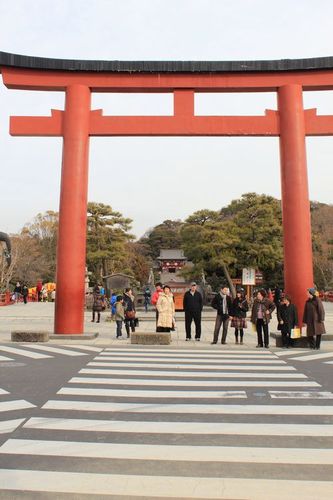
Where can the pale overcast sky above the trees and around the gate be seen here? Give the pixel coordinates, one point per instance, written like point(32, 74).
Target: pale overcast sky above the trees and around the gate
point(153, 179)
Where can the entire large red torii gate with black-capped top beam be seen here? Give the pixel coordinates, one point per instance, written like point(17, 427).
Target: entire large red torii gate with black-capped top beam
point(78, 79)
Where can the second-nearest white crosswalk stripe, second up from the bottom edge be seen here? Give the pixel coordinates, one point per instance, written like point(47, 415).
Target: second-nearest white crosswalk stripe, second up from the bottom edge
point(167, 452)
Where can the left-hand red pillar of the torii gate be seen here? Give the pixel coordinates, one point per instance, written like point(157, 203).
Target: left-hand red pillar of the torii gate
point(71, 255)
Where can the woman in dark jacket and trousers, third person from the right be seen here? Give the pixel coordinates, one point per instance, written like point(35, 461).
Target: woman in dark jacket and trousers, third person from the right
point(261, 315)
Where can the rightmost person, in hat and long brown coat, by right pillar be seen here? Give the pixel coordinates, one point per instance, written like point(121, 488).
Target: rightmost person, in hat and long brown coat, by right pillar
point(314, 317)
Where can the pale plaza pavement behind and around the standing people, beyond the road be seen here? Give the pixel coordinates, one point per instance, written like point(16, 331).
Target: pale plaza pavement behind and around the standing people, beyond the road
point(40, 316)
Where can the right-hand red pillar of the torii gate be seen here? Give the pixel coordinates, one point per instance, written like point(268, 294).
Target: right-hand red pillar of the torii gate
point(298, 271)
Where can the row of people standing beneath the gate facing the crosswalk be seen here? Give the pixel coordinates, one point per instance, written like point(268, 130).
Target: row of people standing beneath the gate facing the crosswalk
point(237, 312)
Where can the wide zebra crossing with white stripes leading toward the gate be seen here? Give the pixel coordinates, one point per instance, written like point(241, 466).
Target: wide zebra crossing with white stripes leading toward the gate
point(177, 424)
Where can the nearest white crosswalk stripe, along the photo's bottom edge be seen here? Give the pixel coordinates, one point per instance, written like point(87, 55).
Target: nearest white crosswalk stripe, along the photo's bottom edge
point(221, 488)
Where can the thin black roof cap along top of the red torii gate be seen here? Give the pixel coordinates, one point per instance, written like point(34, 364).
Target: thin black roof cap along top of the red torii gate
point(275, 65)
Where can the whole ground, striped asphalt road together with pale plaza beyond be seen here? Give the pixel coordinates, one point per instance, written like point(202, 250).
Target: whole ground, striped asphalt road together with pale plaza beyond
point(102, 418)
